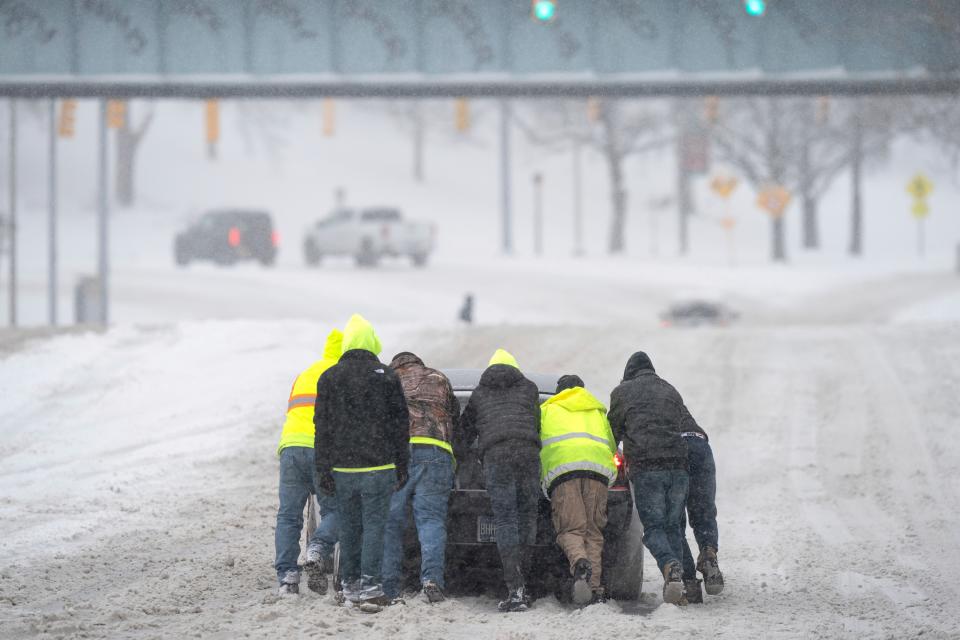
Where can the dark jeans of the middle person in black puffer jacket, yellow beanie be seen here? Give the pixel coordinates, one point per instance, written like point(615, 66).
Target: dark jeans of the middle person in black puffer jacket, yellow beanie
point(514, 489)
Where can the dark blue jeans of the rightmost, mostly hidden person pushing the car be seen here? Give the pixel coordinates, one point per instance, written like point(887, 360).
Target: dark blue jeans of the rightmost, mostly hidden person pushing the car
point(701, 502)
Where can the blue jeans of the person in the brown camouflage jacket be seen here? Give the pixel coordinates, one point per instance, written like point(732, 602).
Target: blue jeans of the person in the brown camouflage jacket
point(431, 479)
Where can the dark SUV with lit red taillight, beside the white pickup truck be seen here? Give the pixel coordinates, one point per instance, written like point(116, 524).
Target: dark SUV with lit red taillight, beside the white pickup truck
point(226, 236)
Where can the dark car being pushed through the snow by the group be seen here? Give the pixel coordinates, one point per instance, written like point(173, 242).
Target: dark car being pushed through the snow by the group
point(472, 561)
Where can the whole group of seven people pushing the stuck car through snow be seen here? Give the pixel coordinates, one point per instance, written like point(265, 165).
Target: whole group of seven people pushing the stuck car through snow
point(368, 439)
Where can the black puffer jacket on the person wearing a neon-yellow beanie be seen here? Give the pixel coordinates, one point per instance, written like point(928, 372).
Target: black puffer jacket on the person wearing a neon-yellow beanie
point(504, 411)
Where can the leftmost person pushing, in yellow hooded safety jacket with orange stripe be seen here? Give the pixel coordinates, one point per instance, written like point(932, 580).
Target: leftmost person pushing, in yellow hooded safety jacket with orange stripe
point(298, 481)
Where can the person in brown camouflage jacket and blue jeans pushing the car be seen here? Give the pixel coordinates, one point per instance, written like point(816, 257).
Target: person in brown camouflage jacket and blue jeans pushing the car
point(434, 412)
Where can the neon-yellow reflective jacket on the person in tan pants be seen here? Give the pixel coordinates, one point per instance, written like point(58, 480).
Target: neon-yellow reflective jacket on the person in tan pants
point(575, 436)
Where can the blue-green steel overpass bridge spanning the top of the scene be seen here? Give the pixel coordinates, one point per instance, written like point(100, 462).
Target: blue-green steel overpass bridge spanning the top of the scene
point(358, 48)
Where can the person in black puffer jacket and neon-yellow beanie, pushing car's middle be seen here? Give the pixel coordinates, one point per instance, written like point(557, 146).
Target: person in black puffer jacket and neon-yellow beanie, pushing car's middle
point(504, 411)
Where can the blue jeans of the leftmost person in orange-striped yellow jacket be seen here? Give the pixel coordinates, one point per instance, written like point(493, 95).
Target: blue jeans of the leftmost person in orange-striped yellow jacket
point(297, 471)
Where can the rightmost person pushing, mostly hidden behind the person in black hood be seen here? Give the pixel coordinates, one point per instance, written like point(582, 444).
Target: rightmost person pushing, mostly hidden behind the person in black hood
point(702, 511)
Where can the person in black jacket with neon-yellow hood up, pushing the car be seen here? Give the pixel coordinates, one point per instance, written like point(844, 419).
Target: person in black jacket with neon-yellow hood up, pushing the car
point(361, 454)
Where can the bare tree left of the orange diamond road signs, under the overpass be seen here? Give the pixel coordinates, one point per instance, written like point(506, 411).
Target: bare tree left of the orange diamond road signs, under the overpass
point(614, 128)
